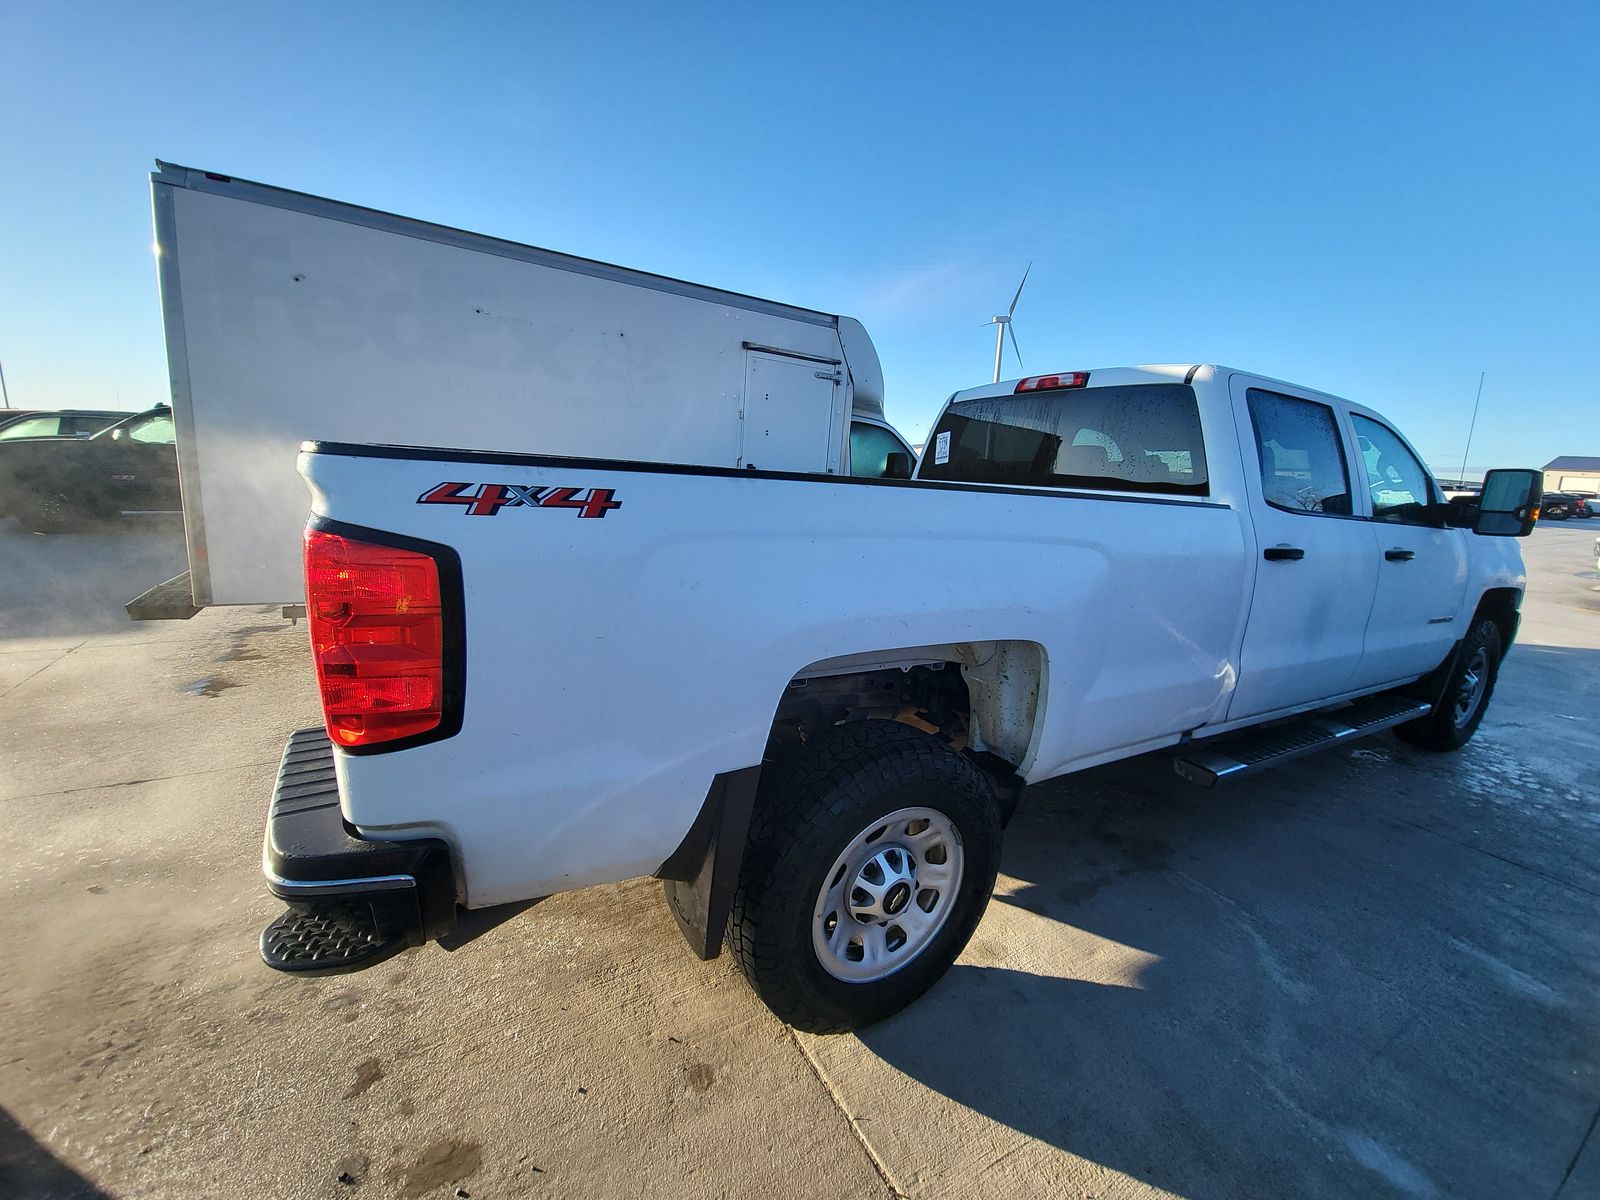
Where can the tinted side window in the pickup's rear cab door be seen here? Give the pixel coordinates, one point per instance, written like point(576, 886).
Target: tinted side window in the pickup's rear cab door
point(1302, 455)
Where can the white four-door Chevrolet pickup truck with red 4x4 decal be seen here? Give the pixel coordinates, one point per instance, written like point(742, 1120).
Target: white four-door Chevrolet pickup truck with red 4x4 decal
point(809, 703)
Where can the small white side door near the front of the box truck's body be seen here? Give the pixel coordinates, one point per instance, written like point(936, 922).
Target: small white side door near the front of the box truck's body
point(791, 414)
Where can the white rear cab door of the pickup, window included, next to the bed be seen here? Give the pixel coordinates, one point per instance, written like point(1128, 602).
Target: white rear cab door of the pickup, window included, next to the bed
point(1316, 572)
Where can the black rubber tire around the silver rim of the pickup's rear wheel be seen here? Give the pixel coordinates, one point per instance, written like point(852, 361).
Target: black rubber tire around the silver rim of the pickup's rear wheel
point(809, 810)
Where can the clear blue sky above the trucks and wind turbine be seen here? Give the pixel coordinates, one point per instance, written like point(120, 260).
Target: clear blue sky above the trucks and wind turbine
point(1380, 201)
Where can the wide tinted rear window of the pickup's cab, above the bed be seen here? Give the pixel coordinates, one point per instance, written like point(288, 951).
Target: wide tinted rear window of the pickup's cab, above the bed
point(1145, 438)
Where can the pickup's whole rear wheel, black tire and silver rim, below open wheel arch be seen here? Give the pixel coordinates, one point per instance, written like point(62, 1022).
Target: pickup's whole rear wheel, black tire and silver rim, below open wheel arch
point(870, 863)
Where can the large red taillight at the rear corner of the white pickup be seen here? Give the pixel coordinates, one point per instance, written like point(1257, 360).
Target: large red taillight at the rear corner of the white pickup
point(377, 636)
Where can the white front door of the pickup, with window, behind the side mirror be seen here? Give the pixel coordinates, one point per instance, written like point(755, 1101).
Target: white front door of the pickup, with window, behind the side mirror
point(1422, 566)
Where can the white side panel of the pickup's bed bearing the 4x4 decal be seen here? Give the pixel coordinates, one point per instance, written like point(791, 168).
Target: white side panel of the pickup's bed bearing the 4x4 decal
point(618, 663)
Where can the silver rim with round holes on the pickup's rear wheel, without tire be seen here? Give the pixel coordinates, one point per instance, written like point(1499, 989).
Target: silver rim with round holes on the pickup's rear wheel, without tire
point(887, 895)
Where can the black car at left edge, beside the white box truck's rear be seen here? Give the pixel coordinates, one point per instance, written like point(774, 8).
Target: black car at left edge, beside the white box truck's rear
point(60, 484)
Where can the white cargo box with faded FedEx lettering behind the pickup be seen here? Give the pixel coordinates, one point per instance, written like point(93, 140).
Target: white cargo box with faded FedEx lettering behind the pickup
point(290, 318)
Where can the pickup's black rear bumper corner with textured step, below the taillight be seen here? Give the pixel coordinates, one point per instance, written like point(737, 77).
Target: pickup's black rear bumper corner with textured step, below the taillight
point(353, 902)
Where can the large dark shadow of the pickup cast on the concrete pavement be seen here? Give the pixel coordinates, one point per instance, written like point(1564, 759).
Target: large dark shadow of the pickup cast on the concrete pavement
point(1270, 991)
